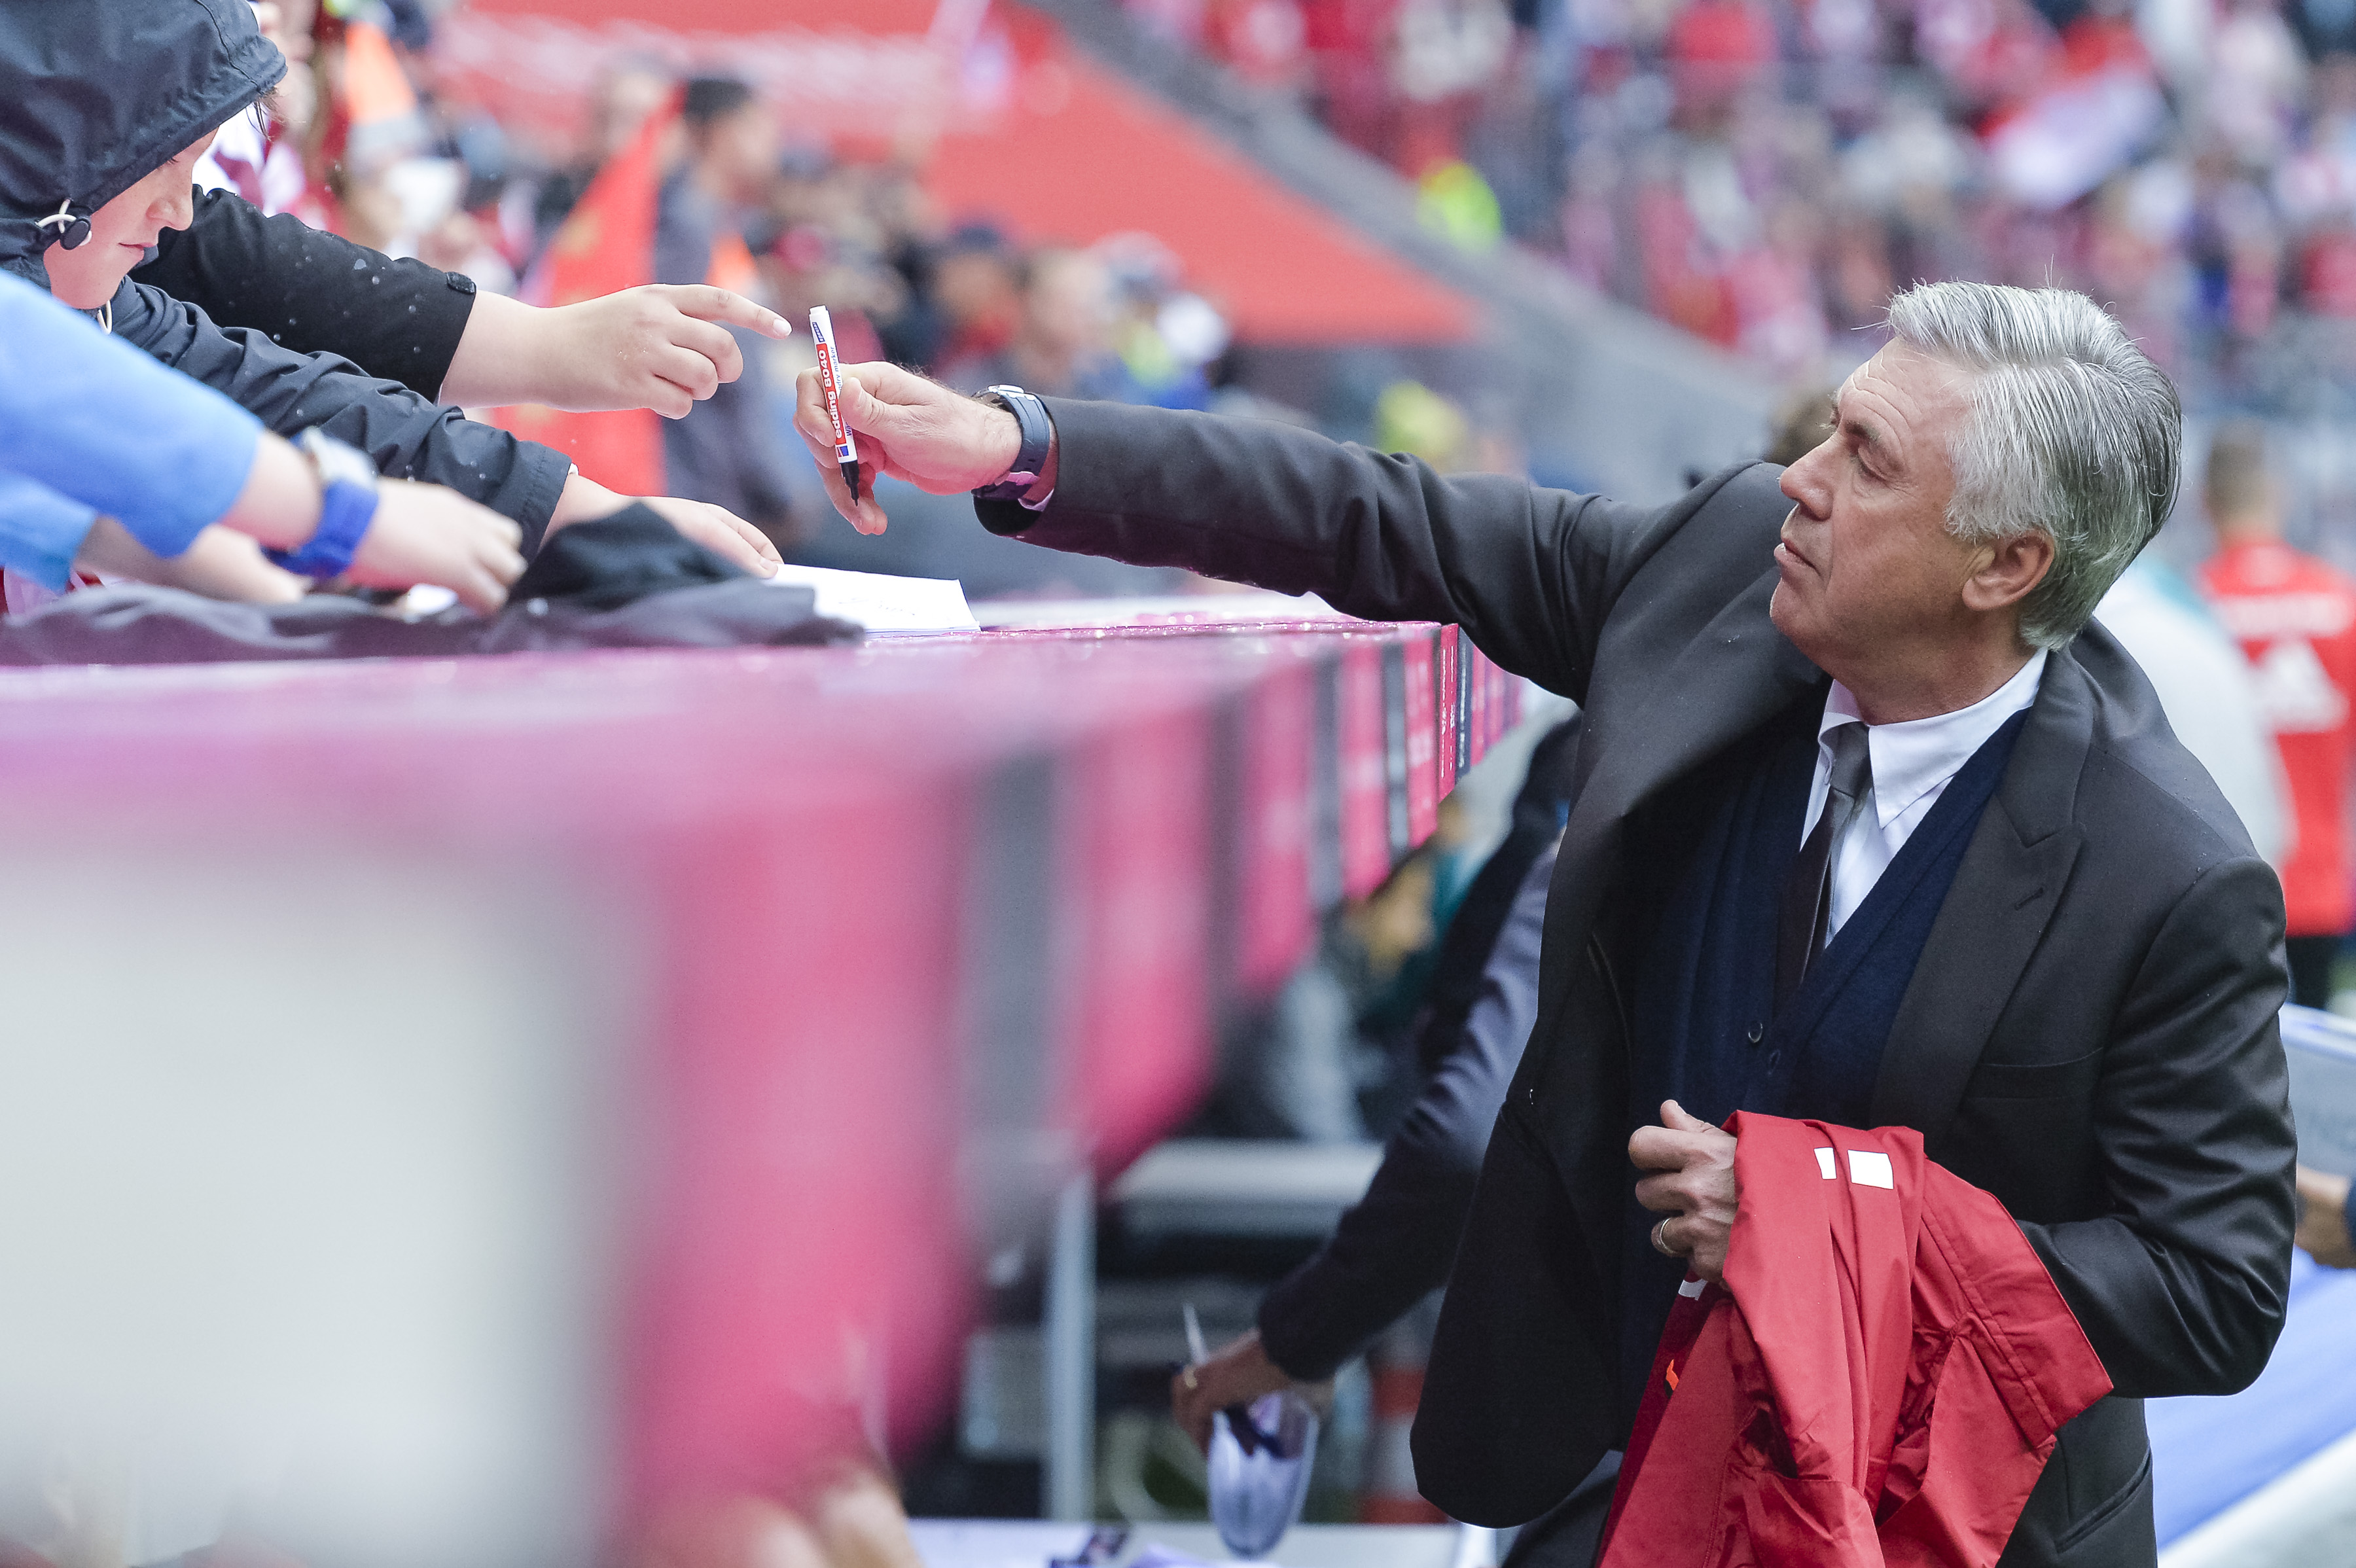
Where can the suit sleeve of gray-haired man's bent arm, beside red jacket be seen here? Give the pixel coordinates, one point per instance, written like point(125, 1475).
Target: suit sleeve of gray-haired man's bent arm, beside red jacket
point(2183, 1287)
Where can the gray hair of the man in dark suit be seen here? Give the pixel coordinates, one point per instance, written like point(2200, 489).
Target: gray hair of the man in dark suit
point(2072, 434)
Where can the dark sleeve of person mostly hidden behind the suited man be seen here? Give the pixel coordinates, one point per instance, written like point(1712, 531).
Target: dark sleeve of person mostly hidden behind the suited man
point(1396, 1247)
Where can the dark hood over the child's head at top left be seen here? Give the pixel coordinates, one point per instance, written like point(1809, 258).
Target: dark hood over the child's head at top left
point(95, 95)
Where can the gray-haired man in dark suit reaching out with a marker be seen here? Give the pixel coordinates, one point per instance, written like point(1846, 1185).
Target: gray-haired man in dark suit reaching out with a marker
point(2067, 978)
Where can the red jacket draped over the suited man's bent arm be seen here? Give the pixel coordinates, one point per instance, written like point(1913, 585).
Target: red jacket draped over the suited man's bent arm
point(1879, 1381)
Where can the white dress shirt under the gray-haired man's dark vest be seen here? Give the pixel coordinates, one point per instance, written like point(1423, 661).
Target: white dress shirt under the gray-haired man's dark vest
point(1912, 766)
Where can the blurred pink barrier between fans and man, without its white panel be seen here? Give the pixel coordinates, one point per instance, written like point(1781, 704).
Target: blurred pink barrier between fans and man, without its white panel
point(868, 903)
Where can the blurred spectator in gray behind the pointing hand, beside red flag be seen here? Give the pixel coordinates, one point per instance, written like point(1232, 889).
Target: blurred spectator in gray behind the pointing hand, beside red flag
point(729, 451)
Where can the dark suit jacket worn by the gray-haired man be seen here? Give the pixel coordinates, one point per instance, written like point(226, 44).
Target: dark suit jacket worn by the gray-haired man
point(2091, 1032)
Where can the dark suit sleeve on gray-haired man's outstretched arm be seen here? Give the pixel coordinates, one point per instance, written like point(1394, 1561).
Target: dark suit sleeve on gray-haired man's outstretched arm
point(1528, 573)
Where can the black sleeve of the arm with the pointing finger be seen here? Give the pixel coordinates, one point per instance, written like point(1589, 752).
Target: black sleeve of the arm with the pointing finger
point(315, 293)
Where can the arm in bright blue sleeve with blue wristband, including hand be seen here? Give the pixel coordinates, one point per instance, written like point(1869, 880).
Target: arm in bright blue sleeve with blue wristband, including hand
point(95, 427)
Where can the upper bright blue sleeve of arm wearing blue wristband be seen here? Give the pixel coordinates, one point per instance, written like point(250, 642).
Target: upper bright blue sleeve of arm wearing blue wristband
point(110, 427)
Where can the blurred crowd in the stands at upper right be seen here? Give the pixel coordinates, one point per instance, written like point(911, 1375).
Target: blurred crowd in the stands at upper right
point(1763, 173)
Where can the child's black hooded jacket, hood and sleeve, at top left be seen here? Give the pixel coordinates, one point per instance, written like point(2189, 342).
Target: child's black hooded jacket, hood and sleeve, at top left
point(93, 100)
